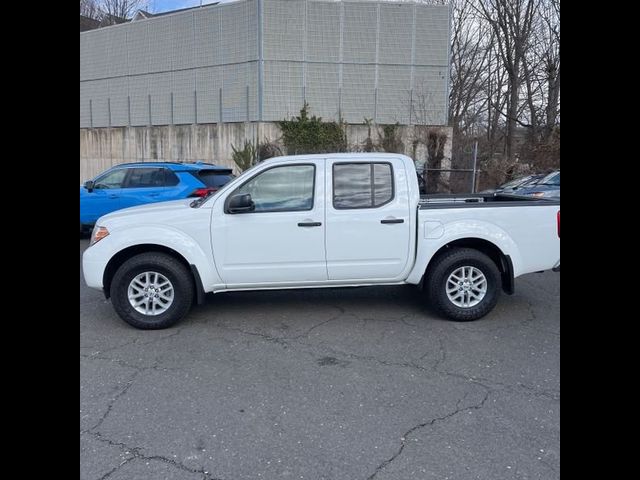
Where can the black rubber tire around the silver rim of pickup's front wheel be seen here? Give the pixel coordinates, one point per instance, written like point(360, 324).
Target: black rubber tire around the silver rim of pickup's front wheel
point(173, 270)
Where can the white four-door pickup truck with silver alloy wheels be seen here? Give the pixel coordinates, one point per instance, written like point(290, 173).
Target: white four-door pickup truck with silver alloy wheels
point(332, 220)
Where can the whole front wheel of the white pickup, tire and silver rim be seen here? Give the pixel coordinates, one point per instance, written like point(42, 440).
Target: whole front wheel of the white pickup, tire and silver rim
point(152, 291)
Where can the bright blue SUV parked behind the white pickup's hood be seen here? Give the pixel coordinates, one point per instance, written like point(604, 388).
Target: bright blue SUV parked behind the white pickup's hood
point(131, 184)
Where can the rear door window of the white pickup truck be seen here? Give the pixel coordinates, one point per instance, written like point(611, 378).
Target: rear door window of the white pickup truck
point(362, 185)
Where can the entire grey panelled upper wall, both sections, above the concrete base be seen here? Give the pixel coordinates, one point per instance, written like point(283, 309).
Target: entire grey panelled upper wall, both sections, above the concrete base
point(349, 59)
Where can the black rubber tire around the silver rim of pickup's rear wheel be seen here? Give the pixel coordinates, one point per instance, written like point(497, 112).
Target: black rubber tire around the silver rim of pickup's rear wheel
point(444, 265)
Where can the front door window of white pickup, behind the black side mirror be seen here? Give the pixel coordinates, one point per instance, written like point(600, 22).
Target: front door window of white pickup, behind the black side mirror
point(280, 189)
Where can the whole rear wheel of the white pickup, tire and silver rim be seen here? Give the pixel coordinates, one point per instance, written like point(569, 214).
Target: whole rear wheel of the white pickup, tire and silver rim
point(463, 284)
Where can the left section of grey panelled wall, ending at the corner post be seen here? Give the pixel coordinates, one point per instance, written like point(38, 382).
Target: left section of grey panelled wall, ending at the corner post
point(172, 69)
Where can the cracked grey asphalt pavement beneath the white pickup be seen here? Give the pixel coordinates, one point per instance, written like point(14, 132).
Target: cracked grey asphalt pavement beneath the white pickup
point(353, 384)
